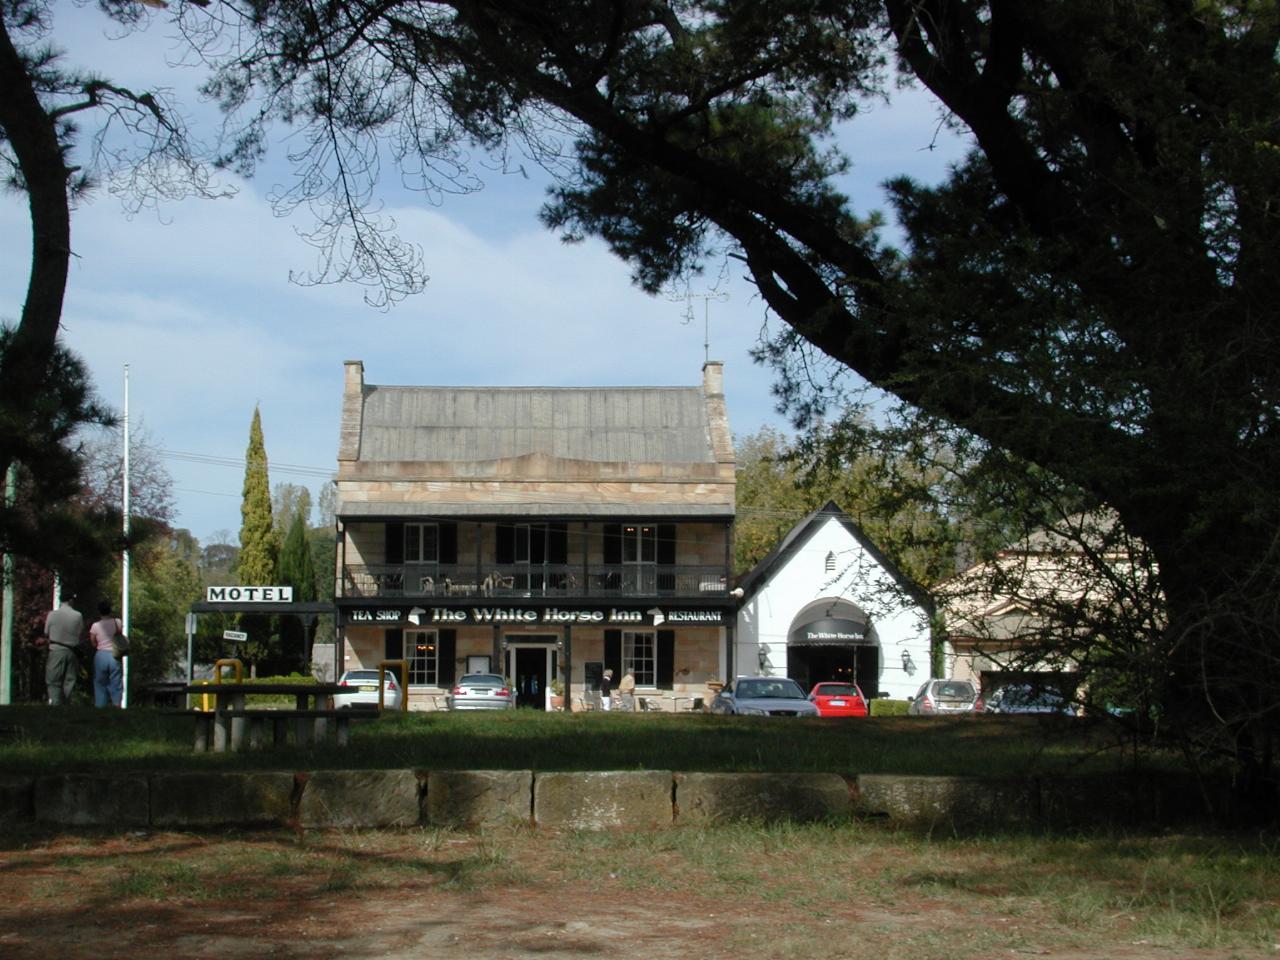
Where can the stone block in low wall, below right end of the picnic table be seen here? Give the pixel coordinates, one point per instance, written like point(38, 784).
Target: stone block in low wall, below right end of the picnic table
point(359, 799)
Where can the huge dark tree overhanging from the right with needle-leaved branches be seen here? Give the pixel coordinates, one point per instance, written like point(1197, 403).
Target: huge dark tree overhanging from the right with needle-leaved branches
point(1091, 292)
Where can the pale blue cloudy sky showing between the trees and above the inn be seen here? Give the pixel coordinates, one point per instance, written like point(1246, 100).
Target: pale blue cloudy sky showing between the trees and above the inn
point(199, 304)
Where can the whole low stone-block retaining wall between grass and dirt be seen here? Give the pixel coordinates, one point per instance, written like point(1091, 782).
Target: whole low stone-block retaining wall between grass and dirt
point(583, 801)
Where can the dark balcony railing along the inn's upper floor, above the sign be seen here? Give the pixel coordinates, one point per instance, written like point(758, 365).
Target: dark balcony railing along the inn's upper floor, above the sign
point(522, 580)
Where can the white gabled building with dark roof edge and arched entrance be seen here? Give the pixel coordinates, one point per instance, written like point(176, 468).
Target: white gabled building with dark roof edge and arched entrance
point(828, 605)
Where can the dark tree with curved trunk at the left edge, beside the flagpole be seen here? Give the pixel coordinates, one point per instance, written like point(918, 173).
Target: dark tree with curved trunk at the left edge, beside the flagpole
point(141, 150)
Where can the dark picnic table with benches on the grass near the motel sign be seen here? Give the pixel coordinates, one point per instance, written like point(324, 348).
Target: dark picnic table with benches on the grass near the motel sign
point(225, 728)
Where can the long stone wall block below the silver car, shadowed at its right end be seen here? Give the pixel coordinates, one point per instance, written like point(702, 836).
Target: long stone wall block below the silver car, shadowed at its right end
point(954, 802)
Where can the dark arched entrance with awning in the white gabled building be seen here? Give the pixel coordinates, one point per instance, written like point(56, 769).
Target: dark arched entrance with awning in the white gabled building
point(834, 639)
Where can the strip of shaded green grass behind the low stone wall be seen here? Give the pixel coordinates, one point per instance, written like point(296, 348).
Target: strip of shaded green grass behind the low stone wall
point(83, 739)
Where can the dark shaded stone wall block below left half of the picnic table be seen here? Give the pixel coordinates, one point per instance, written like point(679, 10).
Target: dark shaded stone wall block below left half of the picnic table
point(241, 799)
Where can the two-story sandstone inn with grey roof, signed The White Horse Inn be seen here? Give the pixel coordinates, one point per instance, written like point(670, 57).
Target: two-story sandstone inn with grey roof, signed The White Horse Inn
point(545, 534)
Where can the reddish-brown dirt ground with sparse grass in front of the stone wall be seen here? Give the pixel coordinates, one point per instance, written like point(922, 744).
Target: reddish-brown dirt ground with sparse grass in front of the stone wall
point(532, 897)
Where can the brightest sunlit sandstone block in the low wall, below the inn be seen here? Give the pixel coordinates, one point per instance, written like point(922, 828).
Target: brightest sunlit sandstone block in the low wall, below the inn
point(632, 799)
